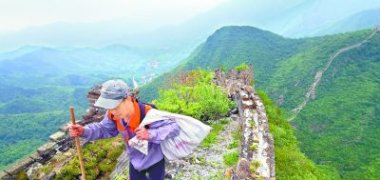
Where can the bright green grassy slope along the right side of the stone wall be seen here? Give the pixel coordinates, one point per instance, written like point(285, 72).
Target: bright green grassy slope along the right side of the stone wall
point(291, 163)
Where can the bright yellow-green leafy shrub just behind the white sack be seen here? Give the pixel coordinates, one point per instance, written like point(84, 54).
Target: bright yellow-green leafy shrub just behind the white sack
point(195, 96)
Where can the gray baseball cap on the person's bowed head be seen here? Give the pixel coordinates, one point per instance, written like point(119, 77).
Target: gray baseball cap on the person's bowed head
point(112, 94)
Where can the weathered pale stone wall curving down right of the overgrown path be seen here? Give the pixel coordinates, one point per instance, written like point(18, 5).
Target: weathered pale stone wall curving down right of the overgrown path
point(257, 148)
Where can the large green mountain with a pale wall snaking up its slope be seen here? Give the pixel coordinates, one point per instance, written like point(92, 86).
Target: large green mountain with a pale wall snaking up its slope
point(328, 87)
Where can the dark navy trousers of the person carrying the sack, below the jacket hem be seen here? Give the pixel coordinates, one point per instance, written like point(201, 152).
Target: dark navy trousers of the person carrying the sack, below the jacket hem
point(155, 172)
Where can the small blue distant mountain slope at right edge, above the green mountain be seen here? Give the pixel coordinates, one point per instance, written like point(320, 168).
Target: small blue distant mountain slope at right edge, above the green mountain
point(362, 20)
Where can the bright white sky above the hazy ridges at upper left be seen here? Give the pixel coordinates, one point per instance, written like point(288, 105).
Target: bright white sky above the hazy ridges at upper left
point(19, 14)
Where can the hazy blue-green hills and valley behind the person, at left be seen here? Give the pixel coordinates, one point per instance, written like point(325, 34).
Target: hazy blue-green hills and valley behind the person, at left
point(38, 84)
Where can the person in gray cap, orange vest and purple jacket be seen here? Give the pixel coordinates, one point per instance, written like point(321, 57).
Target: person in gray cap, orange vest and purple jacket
point(124, 114)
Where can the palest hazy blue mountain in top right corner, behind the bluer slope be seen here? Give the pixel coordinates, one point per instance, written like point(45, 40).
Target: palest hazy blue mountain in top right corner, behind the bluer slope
point(312, 18)
